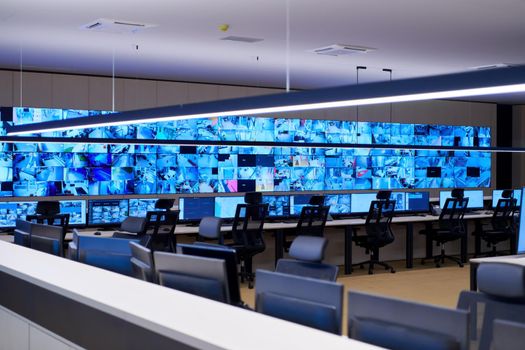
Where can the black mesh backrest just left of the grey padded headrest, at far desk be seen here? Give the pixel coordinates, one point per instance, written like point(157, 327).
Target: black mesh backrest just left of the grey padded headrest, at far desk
point(161, 226)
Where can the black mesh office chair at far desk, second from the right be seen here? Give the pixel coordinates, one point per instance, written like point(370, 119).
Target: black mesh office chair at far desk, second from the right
point(450, 228)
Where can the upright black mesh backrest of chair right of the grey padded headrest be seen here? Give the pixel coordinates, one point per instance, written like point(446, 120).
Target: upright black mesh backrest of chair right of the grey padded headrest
point(247, 228)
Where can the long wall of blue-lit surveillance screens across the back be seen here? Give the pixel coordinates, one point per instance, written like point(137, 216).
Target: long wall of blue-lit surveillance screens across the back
point(58, 169)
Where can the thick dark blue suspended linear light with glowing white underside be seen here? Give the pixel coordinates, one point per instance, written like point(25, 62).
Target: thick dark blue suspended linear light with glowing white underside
point(469, 84)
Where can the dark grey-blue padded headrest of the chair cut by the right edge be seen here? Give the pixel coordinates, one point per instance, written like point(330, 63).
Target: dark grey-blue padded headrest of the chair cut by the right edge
point(502, 280)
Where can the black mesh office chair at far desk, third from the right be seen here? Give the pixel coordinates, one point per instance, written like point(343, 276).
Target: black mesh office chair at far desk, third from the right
point(378, 233)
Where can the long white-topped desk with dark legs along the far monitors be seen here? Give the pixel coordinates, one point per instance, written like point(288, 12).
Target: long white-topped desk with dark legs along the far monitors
point(349, 226)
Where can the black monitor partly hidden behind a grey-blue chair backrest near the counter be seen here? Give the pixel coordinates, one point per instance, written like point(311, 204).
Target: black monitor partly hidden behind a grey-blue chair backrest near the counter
point(218, 252)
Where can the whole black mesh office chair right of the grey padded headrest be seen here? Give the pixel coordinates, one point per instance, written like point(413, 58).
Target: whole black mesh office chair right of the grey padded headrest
point(247, 235)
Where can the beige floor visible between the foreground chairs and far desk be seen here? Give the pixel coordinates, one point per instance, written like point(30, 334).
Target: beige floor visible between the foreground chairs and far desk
point(423, 283)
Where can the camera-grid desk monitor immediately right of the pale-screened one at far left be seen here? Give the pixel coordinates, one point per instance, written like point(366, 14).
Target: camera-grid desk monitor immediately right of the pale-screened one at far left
point(107, 212)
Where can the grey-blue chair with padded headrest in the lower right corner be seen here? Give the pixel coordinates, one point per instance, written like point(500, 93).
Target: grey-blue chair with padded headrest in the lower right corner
point(501, 296)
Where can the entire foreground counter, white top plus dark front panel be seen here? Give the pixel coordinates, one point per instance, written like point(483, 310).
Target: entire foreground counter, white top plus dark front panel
point(87, 307)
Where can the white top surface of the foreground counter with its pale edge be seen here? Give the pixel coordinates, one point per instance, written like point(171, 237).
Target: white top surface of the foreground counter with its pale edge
point(199, 322)
